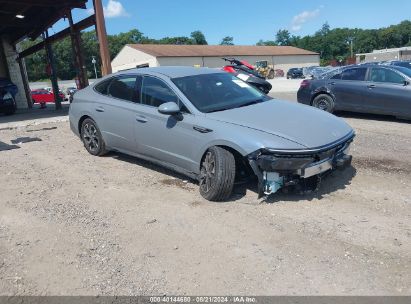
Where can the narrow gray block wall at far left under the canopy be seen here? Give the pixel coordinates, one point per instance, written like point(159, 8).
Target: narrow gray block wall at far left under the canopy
point(14, 72)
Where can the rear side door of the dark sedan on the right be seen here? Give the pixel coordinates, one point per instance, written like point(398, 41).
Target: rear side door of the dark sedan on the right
point(349, 88)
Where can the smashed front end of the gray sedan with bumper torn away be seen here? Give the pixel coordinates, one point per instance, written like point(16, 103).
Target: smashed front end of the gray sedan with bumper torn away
point(301, 169)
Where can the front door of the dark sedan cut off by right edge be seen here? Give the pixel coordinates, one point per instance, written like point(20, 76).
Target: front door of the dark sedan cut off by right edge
point(387, 92)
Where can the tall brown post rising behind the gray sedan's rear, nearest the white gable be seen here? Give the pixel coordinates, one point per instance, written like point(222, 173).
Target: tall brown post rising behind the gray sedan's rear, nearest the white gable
point(102, 38)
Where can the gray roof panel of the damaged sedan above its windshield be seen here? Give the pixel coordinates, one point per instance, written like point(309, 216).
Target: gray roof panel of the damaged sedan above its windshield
point(173, 71)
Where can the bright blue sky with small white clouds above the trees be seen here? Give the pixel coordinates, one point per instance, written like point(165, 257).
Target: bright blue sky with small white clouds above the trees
point(247, 21)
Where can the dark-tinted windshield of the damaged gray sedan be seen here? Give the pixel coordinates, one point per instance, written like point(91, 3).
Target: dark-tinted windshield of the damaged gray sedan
point(218, 92)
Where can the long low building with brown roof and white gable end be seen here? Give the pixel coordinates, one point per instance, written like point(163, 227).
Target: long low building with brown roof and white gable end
point(153, 55)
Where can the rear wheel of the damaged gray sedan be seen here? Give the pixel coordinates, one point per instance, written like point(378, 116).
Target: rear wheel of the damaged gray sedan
point(91, 137)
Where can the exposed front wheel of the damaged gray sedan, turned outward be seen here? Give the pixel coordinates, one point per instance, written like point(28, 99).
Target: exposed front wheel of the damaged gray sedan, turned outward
point(217, 174)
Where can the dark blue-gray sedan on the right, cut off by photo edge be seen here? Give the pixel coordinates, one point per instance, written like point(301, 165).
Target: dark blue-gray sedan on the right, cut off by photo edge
point(377, 89)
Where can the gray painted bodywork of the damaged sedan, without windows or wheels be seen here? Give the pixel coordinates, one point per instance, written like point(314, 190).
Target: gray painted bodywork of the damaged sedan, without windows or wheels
point(177, 144)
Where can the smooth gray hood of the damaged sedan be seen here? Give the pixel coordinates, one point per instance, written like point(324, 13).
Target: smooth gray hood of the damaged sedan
point(305, 125)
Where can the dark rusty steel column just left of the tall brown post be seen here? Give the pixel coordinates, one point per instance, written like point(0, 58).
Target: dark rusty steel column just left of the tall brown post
point(77, 53)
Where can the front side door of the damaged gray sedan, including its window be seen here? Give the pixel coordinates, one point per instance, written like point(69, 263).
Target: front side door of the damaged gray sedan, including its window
point(167, 138)
